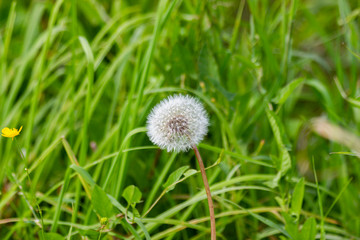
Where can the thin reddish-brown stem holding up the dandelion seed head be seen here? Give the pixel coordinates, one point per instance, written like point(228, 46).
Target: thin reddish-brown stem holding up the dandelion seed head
point(208, 193)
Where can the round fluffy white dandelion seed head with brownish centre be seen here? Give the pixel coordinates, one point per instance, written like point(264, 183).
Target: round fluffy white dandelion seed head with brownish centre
point(177, 123)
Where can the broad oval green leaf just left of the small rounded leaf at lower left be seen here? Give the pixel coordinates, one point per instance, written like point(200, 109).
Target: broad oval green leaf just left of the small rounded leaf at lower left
point(101, 202)
